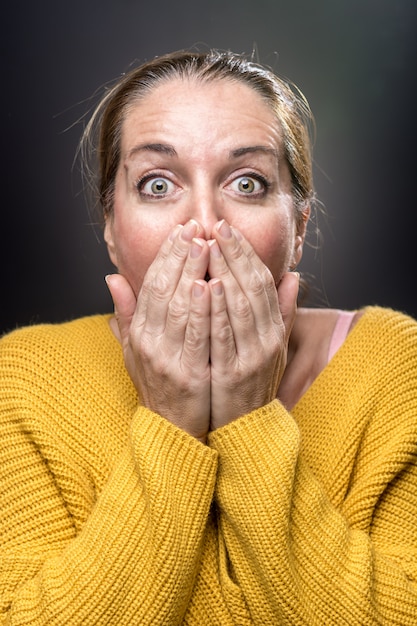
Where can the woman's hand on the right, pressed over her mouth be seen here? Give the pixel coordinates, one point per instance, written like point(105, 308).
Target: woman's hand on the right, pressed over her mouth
point(251, 322)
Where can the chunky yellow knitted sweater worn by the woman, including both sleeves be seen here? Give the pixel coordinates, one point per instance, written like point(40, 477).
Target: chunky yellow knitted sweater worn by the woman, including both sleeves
point(111, 515)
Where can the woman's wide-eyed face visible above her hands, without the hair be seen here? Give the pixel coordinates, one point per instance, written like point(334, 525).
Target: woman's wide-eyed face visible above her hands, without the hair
point(207, 151)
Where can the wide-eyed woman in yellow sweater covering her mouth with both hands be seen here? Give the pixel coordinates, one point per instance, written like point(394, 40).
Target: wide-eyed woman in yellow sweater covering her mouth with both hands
point(209, 455)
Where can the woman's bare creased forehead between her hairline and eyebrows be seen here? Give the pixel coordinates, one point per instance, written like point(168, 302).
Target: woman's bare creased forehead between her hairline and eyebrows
point(210, 115)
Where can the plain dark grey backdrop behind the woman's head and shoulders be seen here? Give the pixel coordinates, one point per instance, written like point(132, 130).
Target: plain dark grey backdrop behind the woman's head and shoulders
point(355, 60)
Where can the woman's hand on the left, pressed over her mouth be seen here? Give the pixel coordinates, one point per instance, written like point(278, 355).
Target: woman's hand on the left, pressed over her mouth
point(165, 334)
